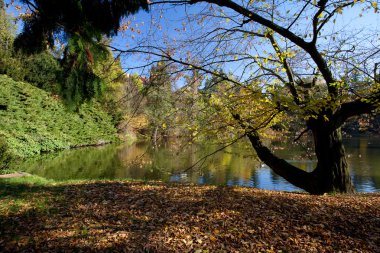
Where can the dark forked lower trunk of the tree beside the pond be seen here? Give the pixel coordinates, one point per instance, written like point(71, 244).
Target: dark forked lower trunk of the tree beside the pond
point(331, 173)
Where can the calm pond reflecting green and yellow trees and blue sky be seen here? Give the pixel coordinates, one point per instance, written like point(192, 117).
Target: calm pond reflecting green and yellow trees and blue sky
point(172, 161)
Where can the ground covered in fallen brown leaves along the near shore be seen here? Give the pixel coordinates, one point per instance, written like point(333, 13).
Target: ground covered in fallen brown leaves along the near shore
point(154, 217)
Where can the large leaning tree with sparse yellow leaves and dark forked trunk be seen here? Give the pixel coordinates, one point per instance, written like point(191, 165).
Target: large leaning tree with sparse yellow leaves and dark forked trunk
point(279, 46)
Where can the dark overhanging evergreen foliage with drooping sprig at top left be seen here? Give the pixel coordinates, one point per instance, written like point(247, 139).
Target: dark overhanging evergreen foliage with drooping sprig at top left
point(80, 25)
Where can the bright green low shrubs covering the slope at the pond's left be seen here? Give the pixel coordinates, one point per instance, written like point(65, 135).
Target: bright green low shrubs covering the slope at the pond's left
point(33, 121)
